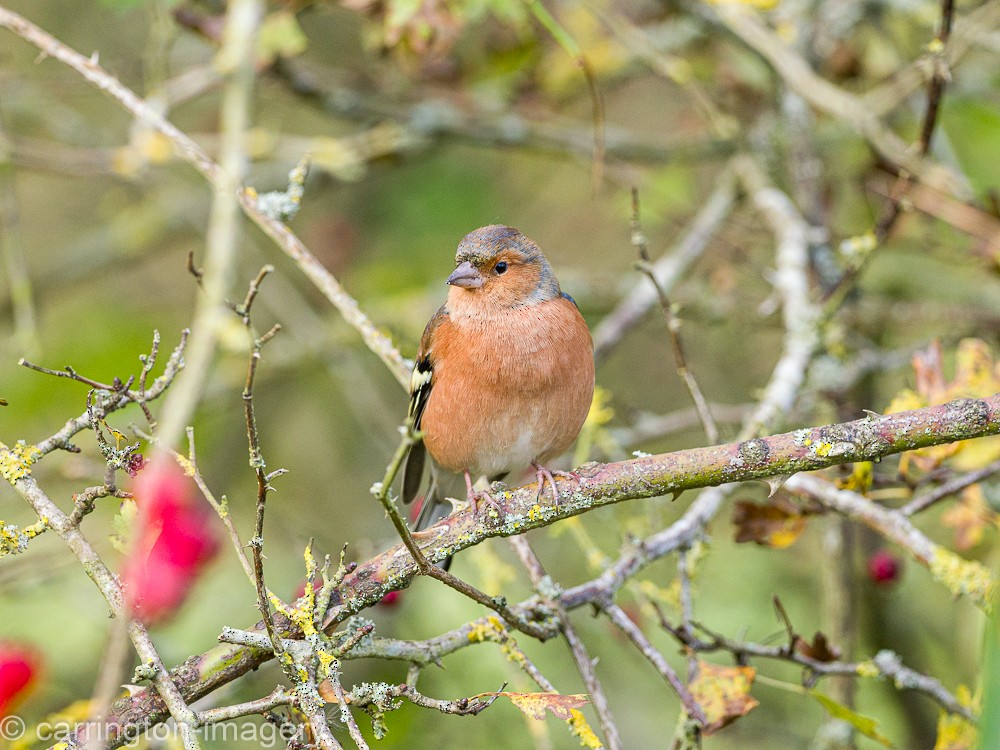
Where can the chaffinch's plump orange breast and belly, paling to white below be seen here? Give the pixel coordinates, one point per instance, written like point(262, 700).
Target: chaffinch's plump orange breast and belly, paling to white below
point(509, 388)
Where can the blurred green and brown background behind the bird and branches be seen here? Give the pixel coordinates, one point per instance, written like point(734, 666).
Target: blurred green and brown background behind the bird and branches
point(104, 221)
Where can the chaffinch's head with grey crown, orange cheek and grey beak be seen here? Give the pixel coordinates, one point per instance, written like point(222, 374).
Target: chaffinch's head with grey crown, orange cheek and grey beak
point(497, 266)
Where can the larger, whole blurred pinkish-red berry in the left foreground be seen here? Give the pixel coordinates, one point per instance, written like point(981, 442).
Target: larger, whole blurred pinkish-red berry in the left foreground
point(174, 540)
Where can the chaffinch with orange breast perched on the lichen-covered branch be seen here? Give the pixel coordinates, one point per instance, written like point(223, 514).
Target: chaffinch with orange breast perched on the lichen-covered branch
point(504, 375)
